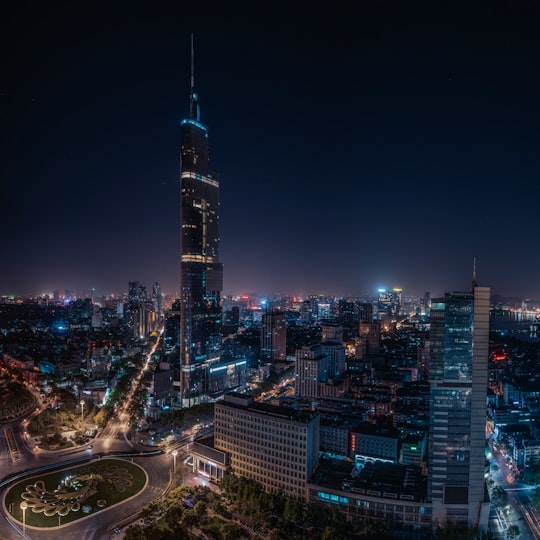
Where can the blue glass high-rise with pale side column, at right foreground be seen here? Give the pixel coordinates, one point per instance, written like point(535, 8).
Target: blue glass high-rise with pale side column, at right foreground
point(459, 339)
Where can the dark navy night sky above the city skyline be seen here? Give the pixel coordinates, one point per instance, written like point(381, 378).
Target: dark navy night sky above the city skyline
point(387, 146)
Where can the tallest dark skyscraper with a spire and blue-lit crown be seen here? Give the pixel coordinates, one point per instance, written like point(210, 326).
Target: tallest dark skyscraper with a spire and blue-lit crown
point(201, 273)
